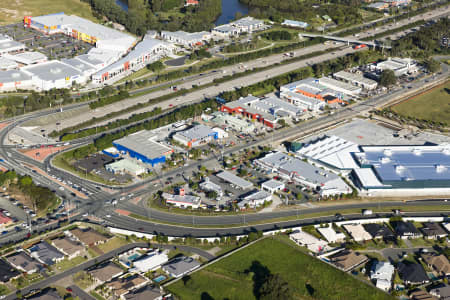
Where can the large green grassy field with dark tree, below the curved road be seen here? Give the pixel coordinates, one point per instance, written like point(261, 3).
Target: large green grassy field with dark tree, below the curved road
point(237, 276)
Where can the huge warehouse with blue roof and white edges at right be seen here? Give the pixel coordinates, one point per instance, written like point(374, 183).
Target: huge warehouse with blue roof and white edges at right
point(403, 167)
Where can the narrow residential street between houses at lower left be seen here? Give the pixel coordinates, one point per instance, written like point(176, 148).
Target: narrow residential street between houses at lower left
point(48, 281)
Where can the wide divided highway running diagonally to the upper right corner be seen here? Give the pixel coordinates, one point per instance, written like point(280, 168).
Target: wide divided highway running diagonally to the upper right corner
point(208, 77)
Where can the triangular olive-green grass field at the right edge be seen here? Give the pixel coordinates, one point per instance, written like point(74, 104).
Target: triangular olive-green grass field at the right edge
point(433, 105)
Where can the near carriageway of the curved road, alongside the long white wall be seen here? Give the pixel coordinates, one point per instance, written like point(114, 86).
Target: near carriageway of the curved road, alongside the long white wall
point(185, 231)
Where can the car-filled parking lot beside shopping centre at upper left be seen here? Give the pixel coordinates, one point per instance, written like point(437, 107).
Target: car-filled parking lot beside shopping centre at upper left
point(57, 46)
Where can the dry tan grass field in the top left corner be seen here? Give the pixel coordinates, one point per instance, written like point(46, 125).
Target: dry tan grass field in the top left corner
point(13, 11)
